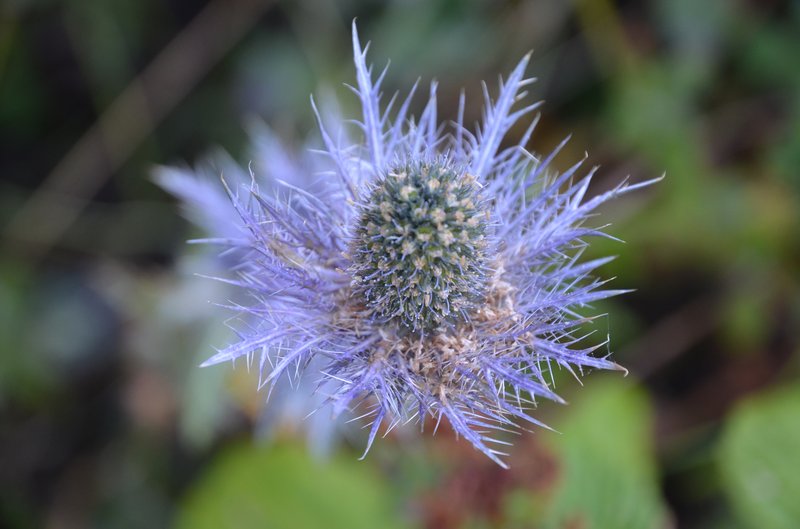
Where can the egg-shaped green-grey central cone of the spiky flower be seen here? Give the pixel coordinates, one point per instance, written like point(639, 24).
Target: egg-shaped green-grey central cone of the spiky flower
point(419, 249)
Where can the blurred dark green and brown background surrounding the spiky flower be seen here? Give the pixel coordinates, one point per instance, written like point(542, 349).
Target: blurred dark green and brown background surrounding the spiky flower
point(107, 422)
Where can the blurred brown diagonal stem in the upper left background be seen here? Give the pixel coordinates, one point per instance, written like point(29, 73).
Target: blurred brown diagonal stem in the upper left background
point(128, 121)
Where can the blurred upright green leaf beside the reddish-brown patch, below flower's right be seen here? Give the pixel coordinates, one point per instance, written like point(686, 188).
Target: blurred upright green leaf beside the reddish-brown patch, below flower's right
point(608, 475)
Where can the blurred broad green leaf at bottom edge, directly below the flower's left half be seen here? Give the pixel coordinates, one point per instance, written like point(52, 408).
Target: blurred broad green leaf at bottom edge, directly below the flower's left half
point(282, 487)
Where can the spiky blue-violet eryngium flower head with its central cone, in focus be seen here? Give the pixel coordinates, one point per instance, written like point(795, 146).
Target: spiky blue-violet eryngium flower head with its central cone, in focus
point(429, 274)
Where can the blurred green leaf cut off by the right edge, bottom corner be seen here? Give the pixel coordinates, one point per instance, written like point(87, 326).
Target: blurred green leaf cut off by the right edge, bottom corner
point(759, 460)
